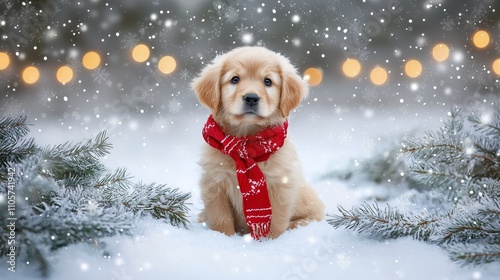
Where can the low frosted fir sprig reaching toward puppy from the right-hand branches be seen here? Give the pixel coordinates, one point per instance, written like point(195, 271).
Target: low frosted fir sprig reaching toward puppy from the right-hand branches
point(386, 223)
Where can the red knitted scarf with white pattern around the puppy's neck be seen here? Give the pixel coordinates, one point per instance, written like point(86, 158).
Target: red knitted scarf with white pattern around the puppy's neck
point(246, 152)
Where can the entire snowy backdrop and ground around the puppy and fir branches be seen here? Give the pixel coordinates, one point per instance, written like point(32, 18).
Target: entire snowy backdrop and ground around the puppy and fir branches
point(155, 121)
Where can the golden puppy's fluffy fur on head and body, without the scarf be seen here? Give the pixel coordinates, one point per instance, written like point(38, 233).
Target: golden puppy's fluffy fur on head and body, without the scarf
point(280, 89)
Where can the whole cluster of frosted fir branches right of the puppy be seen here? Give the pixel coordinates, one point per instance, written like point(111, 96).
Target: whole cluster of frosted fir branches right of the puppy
point(461, 161)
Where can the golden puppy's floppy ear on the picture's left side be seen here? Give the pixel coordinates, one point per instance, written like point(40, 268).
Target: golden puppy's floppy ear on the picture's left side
point(207, 86)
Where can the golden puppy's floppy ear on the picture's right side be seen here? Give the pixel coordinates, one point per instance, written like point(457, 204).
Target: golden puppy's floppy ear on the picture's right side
point(293, 88)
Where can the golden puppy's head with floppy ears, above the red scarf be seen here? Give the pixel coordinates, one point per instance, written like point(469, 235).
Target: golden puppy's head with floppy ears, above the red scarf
point(250, 86)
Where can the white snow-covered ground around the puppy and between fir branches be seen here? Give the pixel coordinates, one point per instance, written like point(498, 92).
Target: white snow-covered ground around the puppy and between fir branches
point(326, 139)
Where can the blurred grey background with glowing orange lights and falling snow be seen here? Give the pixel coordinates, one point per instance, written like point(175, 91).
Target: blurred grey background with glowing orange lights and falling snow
point(94, 64)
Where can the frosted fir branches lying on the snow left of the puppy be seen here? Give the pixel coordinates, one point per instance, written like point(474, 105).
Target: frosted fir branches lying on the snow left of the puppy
point(70, 197)
